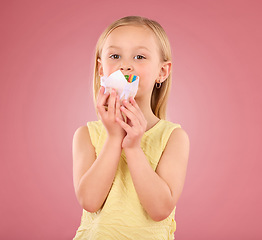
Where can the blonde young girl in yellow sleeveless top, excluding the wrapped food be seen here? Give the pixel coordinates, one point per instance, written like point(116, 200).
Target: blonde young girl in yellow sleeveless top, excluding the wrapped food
point(129, 172)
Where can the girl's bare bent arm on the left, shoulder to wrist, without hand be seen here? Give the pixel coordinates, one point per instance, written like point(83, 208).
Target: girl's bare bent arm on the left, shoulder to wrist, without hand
point(93, 176)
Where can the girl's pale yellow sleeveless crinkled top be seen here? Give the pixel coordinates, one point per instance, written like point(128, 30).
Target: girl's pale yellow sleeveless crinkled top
point(122, 216)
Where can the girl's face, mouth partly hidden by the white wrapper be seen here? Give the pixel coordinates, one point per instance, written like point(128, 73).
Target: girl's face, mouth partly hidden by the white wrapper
point(133, 50)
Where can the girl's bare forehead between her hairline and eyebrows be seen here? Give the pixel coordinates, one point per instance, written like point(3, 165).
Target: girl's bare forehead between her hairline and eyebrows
point(132, 35)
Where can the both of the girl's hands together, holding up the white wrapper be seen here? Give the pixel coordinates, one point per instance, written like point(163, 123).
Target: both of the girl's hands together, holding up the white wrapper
point(130, 130)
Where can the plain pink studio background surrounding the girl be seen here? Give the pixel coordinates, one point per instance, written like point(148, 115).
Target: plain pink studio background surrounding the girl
point(46, 69)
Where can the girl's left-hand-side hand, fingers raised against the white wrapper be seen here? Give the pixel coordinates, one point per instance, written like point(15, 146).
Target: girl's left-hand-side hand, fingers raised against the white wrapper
point(108, 116)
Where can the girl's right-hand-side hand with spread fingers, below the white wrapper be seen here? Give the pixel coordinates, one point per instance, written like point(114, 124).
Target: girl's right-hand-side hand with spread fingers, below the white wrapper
point(135, 126)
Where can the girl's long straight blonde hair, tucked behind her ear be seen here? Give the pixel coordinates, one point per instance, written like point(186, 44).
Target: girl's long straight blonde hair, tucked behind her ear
point(159, 95)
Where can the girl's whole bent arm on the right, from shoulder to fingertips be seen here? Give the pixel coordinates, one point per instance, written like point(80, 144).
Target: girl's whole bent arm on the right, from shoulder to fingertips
point(158, 191)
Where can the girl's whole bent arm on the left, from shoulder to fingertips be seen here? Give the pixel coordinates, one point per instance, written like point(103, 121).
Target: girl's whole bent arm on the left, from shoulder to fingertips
point(93, 176)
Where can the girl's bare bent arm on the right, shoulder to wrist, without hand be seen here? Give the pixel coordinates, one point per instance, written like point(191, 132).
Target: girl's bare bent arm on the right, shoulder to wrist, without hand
point(159, 191)
